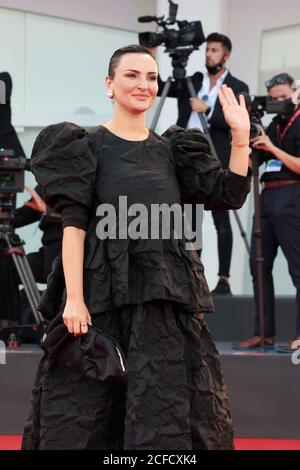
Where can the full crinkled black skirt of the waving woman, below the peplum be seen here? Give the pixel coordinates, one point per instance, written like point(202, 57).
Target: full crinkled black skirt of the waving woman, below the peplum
point(175, 398)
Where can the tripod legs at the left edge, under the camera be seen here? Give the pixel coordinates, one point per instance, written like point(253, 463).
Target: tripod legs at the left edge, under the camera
point(12, 255)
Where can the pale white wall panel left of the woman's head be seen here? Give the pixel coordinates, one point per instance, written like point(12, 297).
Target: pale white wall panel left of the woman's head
point(59, 74)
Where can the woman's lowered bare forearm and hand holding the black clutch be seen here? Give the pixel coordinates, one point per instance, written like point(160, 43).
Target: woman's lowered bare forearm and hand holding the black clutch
point(76, 316)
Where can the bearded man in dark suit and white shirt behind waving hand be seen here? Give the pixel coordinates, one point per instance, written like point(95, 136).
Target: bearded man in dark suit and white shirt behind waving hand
point(207, 86)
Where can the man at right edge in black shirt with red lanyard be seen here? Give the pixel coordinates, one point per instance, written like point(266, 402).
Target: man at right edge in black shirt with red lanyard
point(280, 207)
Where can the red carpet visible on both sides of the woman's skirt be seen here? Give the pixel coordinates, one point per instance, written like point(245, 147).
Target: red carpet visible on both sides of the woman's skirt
point(14, 443)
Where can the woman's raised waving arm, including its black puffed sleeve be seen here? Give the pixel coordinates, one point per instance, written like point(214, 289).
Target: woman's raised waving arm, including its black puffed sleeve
point(200, 176)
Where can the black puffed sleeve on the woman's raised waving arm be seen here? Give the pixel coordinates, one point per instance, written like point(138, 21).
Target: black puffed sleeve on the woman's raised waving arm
point(200, 176)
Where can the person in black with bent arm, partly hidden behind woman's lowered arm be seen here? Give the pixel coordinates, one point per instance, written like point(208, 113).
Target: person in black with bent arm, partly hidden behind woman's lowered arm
point(50, 223)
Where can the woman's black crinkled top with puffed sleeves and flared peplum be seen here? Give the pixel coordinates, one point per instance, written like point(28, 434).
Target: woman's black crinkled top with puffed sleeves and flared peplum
point(79, 172)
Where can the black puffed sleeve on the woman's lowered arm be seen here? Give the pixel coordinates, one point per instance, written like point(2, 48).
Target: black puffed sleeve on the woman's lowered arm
point(65, 166)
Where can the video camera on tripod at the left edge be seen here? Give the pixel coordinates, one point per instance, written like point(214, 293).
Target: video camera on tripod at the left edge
point(14, 266)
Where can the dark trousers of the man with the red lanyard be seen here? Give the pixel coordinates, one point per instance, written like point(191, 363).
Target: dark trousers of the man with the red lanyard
point(280, 222)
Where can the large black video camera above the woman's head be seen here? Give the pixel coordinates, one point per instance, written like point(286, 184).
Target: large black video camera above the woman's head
point(190, 33)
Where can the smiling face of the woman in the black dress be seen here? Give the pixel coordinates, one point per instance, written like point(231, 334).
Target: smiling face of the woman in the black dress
point(134, 84)
